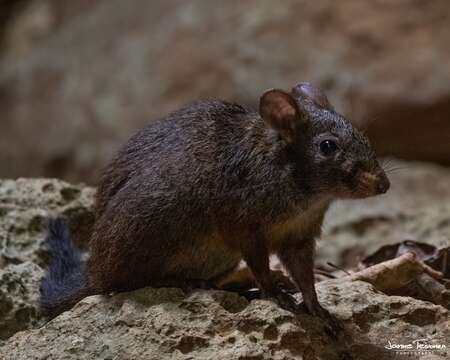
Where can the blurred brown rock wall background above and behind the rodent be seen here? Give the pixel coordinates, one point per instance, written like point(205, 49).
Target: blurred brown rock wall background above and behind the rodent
point(78, 77)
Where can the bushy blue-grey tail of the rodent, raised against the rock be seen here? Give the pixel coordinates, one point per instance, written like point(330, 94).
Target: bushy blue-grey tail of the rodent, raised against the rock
point(65, 282)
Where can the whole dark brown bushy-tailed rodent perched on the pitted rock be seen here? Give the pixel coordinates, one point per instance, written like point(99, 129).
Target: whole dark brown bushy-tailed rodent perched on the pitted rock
point(192, 194)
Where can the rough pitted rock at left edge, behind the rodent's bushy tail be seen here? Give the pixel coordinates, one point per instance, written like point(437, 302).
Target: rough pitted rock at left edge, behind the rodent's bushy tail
point(24, 207)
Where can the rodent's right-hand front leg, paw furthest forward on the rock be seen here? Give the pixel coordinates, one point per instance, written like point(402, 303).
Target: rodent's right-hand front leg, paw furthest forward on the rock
point(298, 258)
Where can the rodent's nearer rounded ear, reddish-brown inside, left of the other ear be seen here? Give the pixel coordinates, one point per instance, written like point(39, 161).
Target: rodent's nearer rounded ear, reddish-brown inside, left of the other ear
point(281, 111)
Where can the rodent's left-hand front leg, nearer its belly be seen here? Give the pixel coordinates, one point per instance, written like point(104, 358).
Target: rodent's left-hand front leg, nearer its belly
point(256, 255)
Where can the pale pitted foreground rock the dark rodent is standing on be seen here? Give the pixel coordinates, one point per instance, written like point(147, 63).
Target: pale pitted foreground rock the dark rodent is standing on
point(164, 323)
